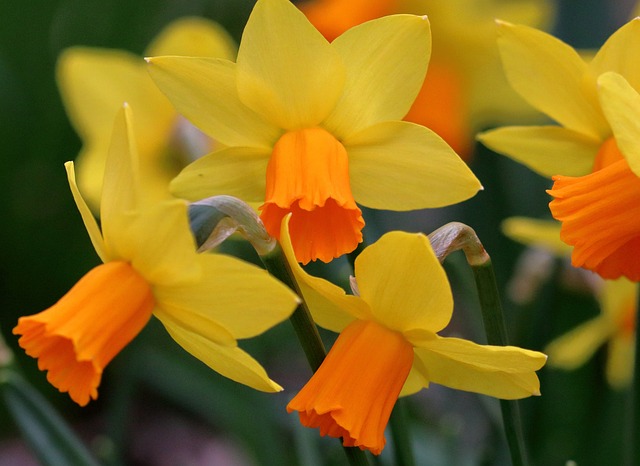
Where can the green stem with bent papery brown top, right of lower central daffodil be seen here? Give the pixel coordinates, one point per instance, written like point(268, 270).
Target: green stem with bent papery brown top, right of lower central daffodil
point(458, 236)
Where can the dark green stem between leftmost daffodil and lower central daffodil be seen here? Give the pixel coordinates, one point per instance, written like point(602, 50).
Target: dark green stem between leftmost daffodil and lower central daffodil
point(276, 264)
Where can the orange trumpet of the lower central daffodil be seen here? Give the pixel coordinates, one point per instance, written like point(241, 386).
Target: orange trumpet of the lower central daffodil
point(354, 390)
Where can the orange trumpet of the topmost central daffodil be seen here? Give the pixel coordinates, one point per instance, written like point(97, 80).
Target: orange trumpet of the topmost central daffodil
point(308, 175)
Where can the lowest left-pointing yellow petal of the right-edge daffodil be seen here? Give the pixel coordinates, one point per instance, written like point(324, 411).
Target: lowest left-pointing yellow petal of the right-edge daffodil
point(547, 150)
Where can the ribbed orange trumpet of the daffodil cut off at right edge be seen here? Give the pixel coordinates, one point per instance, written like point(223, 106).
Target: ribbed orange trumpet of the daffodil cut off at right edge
point(599, 214)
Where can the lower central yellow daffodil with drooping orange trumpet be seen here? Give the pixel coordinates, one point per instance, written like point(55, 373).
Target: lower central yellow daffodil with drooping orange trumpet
point(389, 343)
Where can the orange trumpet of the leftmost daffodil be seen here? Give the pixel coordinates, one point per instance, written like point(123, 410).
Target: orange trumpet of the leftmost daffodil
point(77, 337)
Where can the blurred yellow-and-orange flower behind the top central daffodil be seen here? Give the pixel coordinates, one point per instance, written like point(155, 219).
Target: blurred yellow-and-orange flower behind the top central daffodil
point(453, 100)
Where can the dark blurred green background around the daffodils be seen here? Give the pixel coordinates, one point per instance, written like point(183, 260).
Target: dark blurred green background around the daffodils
point(158, 406)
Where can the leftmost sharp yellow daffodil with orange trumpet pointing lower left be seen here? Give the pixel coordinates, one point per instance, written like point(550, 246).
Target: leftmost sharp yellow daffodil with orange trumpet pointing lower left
point(206, 302)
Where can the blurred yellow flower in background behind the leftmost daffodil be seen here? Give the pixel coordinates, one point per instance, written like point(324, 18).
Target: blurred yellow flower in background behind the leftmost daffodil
point(94, 82)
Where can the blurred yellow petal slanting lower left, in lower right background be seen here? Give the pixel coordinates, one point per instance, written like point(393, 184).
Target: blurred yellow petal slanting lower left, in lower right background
point(575, 347)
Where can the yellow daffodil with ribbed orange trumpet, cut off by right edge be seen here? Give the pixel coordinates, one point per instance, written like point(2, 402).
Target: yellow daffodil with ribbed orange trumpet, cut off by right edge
point(594, 153)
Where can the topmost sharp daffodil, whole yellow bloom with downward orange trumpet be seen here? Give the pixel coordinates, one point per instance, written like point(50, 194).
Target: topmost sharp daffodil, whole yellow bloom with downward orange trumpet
point(312, 127)
